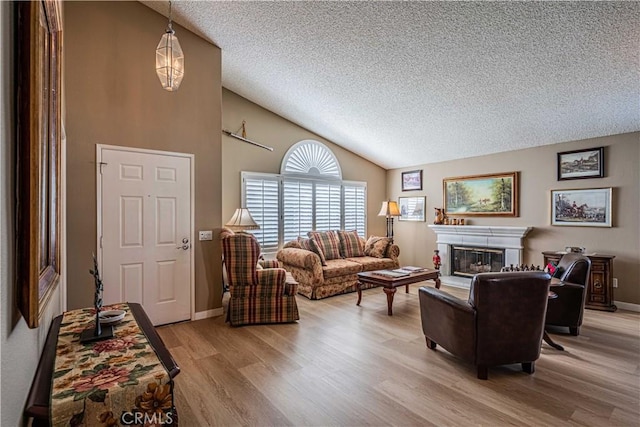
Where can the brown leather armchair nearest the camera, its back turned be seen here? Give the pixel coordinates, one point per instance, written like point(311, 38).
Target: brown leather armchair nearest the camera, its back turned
point(501, 323)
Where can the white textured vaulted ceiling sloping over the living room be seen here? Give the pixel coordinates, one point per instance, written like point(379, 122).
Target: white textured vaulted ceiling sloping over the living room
point(408, 83)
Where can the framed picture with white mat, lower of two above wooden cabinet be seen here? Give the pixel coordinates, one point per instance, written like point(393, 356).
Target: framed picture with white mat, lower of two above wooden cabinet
point(584, 208)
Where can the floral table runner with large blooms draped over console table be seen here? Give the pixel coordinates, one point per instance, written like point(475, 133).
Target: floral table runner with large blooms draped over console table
point(117, 381)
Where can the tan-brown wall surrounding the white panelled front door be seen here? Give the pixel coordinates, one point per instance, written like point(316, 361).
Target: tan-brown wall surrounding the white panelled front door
point(113, 97)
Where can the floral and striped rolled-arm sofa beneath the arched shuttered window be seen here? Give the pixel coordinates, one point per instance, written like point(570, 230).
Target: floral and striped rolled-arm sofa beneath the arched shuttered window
point(327, 263)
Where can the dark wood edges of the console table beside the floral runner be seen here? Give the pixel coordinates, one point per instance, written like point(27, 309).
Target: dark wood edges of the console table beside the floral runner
point(38, 400)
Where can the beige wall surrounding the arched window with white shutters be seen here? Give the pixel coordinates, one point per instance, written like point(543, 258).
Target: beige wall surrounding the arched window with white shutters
point(272, 130)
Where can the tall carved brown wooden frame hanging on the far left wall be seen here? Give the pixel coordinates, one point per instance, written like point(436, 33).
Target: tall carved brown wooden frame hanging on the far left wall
point(39, 59)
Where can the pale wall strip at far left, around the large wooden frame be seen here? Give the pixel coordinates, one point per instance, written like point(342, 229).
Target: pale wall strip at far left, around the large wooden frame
point(20, 346)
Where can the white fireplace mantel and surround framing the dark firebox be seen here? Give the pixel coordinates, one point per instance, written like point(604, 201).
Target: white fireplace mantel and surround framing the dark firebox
point(508, 238)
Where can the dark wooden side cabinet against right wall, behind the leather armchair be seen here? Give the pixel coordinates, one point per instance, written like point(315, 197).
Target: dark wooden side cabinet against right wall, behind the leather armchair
point(600, 285)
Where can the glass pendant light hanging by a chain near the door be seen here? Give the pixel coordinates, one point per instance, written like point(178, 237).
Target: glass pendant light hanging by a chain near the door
point(169, 59)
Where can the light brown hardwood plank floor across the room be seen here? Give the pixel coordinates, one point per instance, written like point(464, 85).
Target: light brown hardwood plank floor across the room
point(348, 365)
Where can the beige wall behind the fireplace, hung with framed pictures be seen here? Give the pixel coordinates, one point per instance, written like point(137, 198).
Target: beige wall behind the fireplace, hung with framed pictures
point(538, 175)
